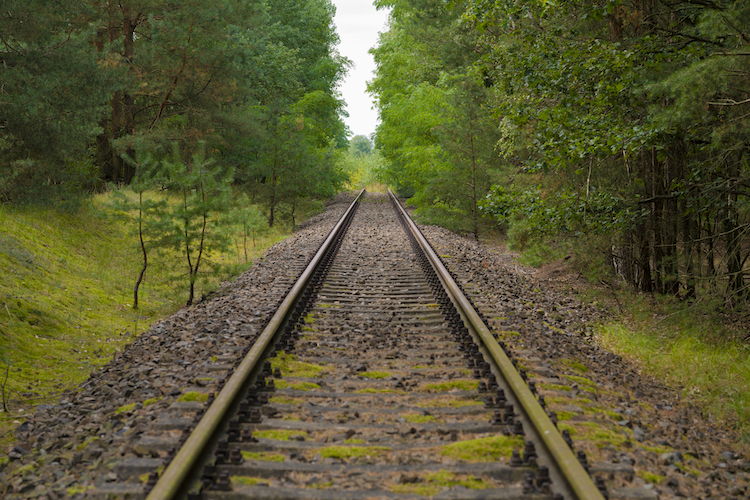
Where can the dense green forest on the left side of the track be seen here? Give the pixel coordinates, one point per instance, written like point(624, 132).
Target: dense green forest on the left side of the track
point(90, 90)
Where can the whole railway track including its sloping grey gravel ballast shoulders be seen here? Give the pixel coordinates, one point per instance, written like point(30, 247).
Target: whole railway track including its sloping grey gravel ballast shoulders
point(375, 379)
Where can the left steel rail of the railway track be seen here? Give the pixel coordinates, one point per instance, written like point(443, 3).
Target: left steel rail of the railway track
point(183, 469)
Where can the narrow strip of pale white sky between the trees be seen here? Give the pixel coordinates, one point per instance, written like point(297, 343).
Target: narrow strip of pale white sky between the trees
point(358, 23)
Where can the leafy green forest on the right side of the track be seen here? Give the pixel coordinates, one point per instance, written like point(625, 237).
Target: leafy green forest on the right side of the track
point(617, 127)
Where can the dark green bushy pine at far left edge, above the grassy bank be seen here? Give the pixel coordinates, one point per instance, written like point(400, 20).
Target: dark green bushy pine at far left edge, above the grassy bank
point(53, 94)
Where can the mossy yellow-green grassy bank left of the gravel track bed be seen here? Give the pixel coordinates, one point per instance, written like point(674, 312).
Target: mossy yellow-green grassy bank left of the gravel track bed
point(67, 292)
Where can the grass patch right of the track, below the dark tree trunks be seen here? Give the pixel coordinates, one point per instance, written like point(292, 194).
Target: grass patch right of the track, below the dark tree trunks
point(688, 348)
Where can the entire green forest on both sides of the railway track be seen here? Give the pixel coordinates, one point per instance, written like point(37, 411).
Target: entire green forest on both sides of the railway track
point(618, 129)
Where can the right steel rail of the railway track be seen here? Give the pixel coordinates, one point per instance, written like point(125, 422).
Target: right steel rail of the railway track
point(579, 482)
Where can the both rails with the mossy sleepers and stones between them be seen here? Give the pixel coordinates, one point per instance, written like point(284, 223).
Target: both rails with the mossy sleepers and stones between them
point(375, 378)
